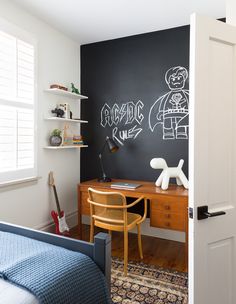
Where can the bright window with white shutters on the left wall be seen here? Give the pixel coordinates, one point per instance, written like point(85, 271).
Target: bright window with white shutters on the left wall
point(17, 108)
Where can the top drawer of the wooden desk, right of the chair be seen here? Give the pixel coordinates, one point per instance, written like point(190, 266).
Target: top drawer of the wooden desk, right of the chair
point(169, 204)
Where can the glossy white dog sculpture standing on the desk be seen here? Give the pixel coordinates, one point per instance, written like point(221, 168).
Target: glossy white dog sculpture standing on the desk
point(167, 173)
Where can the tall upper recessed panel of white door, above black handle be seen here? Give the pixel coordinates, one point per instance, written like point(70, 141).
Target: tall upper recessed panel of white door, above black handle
point(220, 119)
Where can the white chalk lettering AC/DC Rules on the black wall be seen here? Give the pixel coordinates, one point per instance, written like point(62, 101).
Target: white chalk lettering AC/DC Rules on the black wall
point(124, 115)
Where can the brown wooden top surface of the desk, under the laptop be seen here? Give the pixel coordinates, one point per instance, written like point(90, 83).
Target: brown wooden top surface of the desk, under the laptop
point(146, 187)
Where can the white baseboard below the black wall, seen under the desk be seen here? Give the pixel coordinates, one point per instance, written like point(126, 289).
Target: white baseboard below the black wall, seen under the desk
point(152, 231)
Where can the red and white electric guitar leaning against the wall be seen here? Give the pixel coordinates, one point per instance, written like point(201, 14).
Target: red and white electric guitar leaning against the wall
point(59, 216)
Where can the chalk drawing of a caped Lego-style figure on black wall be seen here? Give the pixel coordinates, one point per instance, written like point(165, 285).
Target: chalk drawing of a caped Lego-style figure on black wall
point(171, 109)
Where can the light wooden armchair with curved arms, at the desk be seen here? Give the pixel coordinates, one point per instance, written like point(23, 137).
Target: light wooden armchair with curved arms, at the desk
point(108, 210)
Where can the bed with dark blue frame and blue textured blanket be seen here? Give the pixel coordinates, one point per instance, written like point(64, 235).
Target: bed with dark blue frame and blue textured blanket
point(31, 268)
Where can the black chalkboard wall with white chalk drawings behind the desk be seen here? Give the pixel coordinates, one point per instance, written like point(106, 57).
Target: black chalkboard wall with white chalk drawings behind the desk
point(138, 93)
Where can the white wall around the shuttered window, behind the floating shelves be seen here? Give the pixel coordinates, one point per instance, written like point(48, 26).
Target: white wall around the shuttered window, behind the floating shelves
point(58, 62)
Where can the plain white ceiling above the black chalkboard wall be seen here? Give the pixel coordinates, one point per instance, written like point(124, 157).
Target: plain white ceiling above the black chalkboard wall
point(95, 20)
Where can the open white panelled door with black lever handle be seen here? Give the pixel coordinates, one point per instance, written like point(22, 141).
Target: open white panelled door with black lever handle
point(212, 168)
